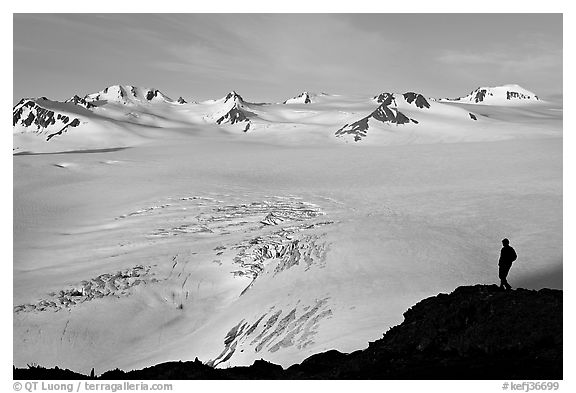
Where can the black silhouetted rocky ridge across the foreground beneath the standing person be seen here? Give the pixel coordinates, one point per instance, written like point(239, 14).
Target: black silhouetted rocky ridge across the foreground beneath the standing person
point(476, 332)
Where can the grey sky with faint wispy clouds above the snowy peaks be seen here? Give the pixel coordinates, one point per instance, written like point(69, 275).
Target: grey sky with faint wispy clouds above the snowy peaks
point(272, 57)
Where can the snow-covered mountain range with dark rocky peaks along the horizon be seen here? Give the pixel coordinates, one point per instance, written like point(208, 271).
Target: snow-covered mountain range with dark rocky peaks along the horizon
point(340, 118)
